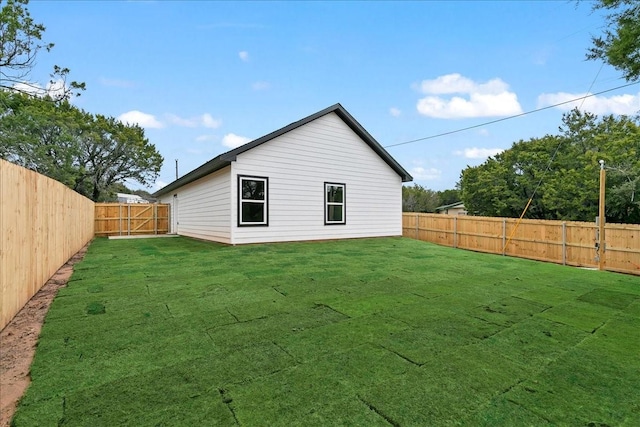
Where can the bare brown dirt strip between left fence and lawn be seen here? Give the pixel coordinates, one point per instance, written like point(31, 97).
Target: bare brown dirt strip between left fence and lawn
point(19, 339)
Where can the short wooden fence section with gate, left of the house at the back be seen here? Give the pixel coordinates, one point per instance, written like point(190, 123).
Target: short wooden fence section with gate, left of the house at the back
point(117, 219)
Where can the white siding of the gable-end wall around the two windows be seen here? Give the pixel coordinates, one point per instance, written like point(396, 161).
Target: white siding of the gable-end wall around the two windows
point(298, 164)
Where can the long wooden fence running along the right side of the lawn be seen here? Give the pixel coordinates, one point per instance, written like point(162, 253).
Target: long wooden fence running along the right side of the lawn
point(562, 242)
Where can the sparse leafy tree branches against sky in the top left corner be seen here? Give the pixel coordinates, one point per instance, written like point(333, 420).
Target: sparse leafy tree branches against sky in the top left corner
point(20, 43)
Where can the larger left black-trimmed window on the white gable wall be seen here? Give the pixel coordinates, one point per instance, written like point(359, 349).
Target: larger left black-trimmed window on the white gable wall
point(253, 200)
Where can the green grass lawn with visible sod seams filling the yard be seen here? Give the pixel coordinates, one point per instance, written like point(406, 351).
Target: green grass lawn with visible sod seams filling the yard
point(368, 332)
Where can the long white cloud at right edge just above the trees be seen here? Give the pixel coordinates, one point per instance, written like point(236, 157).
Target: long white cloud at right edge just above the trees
point(616, 104)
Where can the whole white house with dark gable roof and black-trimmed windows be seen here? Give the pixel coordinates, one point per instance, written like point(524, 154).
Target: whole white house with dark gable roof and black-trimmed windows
point(322, 177)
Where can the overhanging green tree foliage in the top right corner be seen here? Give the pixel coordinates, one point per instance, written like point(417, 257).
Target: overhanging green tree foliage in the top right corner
point(619, 45)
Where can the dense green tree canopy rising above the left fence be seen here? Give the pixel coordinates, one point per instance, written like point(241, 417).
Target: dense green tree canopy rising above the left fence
point(89, 153)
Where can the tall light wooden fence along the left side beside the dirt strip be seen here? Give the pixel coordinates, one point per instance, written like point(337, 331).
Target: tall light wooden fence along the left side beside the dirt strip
point(42, 224)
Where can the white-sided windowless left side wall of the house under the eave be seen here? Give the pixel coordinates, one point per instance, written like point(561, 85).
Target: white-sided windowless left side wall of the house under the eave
point(204, 207)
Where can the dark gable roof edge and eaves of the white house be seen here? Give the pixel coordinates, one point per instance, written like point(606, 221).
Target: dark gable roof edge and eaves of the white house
point(225, 159)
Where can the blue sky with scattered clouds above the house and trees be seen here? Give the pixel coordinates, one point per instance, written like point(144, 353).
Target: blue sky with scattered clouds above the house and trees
point(202, 77)
